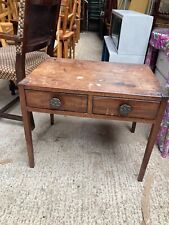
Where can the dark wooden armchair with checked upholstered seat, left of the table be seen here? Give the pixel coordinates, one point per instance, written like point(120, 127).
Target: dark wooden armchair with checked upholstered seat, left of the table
point(18, 61)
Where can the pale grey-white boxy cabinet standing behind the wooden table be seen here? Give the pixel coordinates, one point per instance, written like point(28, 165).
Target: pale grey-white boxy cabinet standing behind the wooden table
point(129, 36)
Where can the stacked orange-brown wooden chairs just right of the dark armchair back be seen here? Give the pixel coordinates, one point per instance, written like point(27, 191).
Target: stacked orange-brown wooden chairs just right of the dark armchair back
point(68, 29)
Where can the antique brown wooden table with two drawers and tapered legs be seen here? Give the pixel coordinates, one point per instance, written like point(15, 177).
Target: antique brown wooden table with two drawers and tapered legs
point(95, 90)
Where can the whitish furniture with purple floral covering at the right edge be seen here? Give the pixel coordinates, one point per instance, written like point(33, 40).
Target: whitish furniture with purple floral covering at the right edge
point(159, 42)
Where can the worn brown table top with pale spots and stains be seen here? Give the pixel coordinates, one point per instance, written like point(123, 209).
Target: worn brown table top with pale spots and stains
point(67, 75)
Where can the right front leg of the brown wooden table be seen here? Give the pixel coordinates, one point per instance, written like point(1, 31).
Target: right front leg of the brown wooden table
point(151, 141)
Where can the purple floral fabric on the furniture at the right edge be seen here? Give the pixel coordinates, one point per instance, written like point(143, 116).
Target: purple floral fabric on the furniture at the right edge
point(160, 40)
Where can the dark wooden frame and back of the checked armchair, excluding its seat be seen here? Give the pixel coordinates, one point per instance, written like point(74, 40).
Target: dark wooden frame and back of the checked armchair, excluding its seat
point(32, 36)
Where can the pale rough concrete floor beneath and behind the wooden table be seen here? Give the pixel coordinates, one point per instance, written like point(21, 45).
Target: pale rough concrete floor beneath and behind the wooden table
point(85, 171)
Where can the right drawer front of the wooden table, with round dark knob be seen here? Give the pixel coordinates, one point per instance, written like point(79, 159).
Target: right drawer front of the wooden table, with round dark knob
point(125, 108)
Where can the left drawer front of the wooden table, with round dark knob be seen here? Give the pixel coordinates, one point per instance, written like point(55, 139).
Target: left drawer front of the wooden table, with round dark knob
point(56, 101)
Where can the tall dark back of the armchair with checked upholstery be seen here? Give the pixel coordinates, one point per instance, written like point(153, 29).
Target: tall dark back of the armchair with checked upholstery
point(37, 25)
